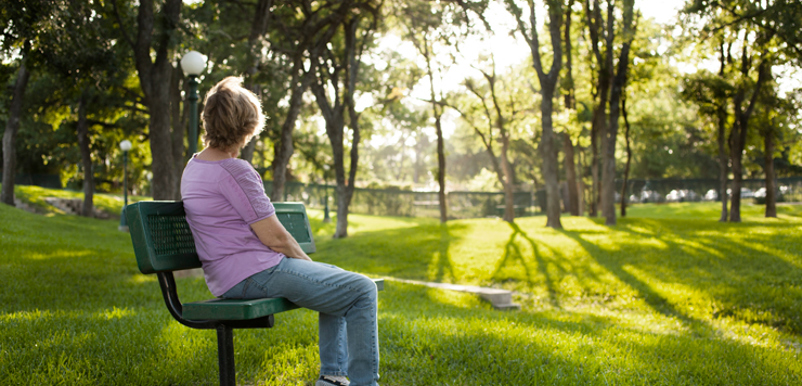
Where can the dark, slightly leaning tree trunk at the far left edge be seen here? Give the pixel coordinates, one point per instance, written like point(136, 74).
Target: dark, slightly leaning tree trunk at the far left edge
point(10, 135)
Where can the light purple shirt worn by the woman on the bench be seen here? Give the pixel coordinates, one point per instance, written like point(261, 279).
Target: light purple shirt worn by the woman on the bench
point(222, 199)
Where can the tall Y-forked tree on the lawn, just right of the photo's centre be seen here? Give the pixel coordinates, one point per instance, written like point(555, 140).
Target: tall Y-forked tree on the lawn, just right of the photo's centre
point(548, 86)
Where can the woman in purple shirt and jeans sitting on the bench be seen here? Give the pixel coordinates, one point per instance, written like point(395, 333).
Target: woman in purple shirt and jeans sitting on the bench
point(247, 253)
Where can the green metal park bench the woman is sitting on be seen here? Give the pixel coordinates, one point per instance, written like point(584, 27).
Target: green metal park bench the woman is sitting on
point(163, 243)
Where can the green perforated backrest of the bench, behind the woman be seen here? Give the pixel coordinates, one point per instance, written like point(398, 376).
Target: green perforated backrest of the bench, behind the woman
point(163, 241)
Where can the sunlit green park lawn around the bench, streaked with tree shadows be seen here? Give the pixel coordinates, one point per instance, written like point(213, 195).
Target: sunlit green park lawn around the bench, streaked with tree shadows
point(668, 300)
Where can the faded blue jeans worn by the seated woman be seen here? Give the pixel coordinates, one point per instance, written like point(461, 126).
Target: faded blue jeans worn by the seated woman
point(347, 303)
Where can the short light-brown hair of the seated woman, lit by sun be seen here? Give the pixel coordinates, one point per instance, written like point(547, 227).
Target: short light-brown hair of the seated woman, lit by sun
point(232, 115)
